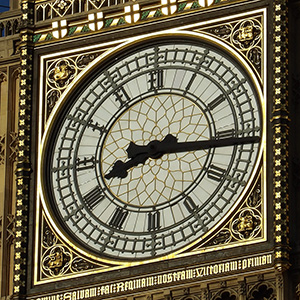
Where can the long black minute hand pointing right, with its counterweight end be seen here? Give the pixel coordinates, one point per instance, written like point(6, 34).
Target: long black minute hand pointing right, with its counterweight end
point(169, 144)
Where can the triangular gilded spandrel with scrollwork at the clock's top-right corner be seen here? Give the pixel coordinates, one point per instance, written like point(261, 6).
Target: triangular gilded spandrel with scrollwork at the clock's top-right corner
point(245, 36)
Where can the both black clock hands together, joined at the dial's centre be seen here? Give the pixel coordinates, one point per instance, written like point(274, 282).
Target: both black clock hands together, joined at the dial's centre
point(156, 149)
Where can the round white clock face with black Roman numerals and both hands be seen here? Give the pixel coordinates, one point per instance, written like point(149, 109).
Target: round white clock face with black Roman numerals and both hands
point(154, 150)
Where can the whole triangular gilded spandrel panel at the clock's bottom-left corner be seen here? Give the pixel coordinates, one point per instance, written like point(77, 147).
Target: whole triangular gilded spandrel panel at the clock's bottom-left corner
point(57, 259)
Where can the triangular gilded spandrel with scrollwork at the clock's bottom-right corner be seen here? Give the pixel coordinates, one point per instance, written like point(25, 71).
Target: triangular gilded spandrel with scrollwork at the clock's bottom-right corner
point(245, 225)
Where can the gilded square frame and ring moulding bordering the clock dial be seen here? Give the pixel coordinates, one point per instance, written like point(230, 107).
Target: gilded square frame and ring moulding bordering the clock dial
point(197, 31)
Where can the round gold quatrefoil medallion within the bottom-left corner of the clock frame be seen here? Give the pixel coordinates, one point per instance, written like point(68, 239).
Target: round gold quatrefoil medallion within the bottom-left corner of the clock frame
point(56, 260)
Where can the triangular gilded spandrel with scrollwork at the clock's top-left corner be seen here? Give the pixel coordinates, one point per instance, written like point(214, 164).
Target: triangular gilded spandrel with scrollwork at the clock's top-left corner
point(61, 72)
